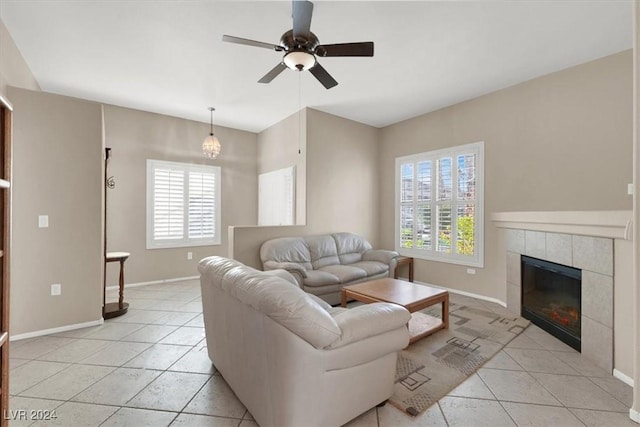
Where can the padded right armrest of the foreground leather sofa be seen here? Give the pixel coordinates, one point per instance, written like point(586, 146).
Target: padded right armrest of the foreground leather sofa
point(368, 320)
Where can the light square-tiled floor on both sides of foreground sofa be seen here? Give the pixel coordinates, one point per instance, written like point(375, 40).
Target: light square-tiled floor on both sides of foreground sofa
point(150, 368)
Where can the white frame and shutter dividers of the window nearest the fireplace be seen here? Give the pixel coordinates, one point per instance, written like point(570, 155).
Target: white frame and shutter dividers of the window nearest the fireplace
point(477, 260)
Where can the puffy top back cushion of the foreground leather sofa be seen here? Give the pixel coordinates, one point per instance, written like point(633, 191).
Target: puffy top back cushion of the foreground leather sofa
point(274, 296)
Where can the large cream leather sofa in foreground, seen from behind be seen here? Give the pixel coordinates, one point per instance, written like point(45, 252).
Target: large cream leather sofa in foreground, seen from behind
point(292, 359)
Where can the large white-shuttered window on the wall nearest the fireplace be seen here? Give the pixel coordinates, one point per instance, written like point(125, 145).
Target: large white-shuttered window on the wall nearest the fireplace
point(439, 212)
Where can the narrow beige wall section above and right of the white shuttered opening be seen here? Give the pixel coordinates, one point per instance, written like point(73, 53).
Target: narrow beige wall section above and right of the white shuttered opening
point(283, 145)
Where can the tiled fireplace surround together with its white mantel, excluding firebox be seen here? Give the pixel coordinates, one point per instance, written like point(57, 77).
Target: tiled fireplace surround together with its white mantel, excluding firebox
point(580, 239)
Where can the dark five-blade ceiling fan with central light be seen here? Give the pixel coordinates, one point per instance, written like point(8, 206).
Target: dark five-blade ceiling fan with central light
point(301, 47)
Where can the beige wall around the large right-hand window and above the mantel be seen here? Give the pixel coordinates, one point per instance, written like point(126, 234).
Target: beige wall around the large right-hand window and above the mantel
point(558, 142)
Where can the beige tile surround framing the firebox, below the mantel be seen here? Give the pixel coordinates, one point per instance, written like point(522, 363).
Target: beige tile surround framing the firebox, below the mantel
point(594, 256)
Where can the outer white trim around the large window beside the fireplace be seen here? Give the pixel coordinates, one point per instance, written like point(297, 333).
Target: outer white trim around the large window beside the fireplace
point(478, 259)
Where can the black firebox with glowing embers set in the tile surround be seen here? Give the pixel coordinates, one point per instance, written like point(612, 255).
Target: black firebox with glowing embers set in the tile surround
point(551, 298)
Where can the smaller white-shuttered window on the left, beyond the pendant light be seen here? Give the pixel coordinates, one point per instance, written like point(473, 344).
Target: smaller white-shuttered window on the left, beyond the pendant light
point(183, 205)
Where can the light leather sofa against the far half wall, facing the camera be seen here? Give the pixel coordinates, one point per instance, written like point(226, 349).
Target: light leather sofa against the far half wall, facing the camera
point(323, 264)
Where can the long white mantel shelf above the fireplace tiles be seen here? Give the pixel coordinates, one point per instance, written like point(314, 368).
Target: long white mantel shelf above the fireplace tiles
point(610, 224)
